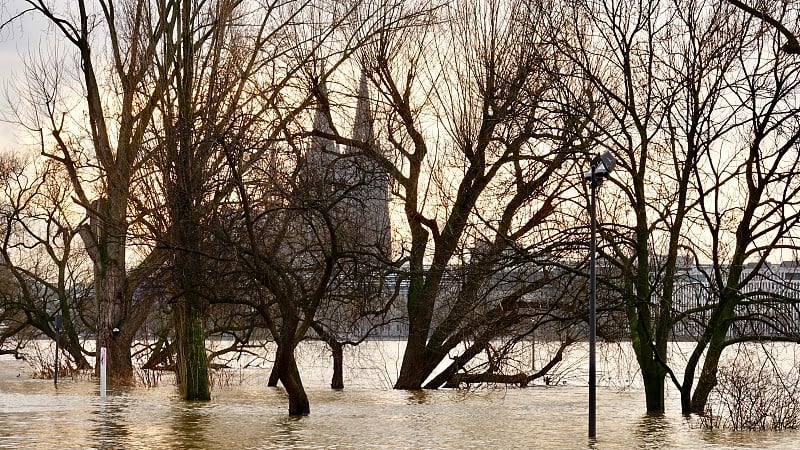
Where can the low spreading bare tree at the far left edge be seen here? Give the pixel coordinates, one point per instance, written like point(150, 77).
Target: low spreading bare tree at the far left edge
point(42, 275)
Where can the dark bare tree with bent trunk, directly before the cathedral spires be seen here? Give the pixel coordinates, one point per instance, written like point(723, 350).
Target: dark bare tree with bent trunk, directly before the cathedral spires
point(280, 222)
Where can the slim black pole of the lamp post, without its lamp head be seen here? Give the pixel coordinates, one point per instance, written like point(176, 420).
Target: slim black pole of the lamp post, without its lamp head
point(592, 306)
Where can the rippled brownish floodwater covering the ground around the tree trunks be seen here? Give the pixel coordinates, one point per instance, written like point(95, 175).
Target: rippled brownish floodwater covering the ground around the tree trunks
point(245, 414)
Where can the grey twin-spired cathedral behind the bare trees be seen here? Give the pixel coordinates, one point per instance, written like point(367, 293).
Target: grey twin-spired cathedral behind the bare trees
point(347, 183)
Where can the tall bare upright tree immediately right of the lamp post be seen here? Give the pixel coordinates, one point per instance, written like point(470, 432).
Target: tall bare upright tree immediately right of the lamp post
point(654, 108)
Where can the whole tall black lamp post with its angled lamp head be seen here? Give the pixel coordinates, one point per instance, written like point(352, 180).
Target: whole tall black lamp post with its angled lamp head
point(601, 167)
